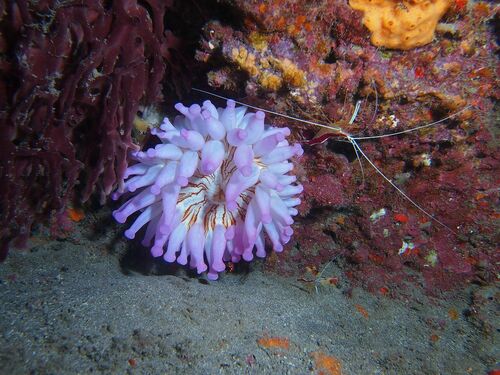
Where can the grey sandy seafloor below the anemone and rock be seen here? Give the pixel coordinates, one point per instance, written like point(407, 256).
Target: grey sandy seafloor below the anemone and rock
point(90, 303)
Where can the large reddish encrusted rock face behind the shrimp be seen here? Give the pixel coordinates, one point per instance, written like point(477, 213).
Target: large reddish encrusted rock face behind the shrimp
point(378, 238)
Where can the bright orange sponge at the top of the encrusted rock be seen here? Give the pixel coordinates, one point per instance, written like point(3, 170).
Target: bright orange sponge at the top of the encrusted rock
point(402, 24)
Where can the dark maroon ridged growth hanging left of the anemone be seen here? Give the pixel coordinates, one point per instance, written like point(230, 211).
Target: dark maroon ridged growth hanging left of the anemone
point(73, 74)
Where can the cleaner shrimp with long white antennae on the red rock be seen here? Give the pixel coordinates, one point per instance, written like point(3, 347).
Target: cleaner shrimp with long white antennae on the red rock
point(330, 131)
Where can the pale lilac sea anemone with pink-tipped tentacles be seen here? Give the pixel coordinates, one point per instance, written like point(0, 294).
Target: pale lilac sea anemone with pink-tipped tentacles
point(208, 192)
